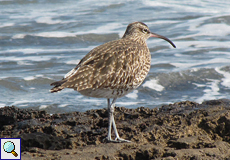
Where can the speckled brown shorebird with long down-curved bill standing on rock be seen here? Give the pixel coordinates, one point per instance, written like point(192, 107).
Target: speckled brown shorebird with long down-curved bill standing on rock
point(112, 70)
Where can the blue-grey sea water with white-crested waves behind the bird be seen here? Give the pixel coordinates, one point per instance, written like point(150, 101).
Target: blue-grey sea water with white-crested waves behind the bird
point(41, 40)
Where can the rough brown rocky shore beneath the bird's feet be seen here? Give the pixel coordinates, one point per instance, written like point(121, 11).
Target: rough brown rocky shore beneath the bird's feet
point(183, 130)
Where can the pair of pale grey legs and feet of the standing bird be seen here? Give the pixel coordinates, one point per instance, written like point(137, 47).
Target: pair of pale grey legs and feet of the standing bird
point(112, 122)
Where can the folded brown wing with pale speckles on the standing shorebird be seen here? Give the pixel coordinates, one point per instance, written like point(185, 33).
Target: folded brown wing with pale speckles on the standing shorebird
point(106, 66)
